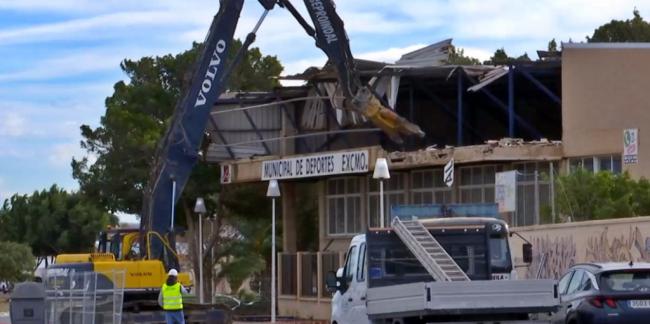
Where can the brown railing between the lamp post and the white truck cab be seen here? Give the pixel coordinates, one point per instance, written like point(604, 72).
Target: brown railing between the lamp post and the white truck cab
point(301, 276)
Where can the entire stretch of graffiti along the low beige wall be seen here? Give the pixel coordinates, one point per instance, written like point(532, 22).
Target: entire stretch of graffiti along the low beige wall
point(553, 255)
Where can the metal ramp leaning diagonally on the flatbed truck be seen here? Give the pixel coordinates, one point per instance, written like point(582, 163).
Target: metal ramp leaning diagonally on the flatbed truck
point(428, 251)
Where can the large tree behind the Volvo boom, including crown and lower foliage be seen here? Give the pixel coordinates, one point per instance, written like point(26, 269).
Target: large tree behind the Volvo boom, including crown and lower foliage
point(136, 117)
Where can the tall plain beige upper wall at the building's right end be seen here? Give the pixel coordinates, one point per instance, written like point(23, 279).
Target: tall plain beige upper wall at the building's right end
point(605, 90)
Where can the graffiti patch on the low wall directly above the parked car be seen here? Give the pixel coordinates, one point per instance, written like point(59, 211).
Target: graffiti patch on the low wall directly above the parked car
point(632, 246)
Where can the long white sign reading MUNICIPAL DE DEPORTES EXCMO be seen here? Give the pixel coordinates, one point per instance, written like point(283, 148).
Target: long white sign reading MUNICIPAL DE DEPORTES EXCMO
point(316, 165)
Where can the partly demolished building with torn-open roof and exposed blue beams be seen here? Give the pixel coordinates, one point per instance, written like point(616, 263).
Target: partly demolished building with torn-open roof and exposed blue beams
point(539, 118)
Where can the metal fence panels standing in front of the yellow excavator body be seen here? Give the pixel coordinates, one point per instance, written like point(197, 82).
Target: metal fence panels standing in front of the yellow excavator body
point(83, 297)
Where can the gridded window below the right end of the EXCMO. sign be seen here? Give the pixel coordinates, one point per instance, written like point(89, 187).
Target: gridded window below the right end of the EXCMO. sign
point(344, 205)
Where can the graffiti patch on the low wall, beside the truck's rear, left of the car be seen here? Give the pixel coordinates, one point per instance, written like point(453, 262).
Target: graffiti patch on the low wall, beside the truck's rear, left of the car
point(551, 256)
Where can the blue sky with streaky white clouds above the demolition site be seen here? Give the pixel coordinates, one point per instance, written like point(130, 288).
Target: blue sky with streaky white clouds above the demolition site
point(59, 59)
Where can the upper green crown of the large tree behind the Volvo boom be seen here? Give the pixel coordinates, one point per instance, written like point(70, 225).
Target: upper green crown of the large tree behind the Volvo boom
point(137, 115)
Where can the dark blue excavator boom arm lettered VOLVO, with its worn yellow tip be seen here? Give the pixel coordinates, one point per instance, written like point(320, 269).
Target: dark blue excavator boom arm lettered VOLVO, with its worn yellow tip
point(178, 151)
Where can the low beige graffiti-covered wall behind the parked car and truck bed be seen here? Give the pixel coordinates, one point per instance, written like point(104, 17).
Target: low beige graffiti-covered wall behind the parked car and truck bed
point(614, 240)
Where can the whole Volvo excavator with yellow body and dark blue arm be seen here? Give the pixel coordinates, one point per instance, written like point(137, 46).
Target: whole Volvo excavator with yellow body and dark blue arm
point(145, 254)
